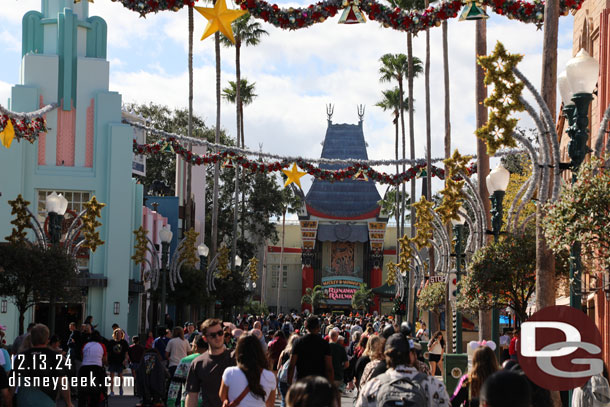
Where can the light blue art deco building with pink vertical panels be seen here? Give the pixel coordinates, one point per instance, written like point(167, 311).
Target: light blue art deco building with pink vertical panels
point(87, 151)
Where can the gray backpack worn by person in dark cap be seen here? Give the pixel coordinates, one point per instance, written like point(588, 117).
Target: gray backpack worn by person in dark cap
point(402, 391)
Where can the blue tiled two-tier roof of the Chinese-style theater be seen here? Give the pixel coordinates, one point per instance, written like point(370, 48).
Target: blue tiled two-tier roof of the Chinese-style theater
point(349, 198)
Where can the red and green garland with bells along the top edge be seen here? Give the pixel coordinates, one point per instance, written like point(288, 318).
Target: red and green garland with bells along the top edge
point(413, 22)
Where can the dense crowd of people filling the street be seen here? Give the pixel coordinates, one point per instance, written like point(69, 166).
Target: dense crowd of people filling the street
point(305, 361)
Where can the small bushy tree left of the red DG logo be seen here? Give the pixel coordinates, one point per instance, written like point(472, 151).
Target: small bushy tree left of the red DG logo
point(502, 274)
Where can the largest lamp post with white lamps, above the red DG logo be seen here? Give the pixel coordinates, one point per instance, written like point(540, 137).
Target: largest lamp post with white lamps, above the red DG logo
point(576, 86)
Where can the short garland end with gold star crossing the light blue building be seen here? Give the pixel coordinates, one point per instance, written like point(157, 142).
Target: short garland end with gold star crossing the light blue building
point(26, 126)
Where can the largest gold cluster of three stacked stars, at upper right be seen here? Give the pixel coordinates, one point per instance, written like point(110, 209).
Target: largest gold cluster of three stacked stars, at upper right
point(504, 100)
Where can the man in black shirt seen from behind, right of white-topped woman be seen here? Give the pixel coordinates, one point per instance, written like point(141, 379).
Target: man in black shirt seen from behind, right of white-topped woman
point(311, 354)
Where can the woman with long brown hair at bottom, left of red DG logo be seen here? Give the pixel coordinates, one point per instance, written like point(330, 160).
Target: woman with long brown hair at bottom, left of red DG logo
point(484, 364)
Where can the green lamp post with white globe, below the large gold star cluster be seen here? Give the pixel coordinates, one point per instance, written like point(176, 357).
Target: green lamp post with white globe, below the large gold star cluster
point(497, 181)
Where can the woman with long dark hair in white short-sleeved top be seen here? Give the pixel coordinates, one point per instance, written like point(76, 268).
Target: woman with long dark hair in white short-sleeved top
point(250, 383)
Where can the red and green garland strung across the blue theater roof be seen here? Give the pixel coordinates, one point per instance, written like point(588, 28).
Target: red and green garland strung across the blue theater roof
point(230, 158)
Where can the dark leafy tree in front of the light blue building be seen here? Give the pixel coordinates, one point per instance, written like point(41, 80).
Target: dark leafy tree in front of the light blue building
point(30, 274)
